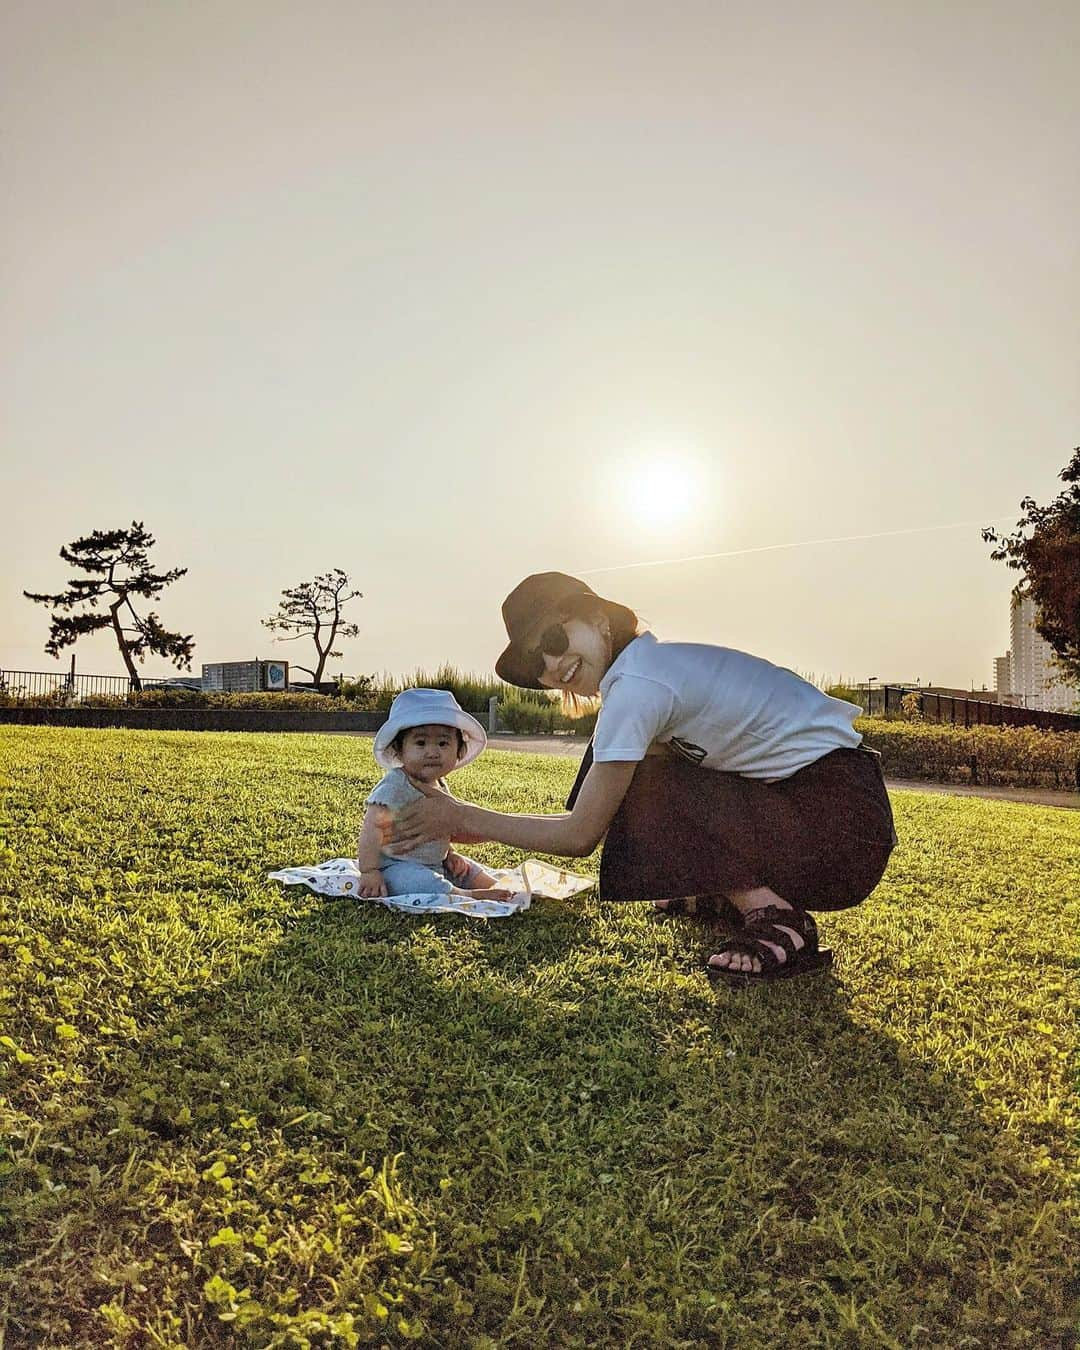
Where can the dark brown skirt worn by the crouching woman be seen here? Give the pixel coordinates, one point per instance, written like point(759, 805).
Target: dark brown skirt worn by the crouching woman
point(820, 839)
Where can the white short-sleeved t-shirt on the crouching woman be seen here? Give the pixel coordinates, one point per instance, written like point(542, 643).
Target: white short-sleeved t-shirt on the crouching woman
point(718, 708)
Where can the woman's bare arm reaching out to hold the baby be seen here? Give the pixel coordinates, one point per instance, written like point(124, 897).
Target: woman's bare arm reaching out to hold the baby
point(572, 835)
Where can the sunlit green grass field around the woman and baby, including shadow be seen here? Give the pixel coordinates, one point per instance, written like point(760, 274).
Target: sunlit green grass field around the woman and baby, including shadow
point(240, 1116)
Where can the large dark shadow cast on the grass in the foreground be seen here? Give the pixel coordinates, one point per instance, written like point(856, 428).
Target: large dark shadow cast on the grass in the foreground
point(597, 1150)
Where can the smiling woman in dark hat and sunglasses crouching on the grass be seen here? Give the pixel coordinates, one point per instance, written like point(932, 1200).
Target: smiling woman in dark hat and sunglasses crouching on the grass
point(722, 785)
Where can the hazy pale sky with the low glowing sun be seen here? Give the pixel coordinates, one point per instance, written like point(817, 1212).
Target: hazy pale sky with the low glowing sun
point(448, 295)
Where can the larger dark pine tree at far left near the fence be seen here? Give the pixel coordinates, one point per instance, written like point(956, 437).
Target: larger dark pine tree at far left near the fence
point(118, 562)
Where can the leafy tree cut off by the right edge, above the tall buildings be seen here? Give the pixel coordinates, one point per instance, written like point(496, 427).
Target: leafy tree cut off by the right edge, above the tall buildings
point(1046, 550)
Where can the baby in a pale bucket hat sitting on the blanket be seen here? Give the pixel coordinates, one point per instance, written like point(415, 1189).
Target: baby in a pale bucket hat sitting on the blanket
point(426, 736)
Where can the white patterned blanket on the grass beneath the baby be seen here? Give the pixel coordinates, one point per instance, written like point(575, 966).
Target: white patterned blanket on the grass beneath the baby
point(533, 878)
